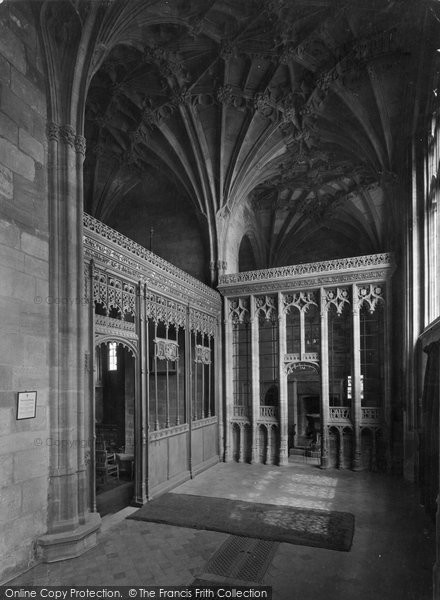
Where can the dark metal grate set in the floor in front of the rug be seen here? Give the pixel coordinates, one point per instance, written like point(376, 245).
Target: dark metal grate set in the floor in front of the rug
point(242, 558)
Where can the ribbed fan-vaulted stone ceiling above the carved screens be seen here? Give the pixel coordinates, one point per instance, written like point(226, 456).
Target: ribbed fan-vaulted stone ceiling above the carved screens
point(275, 120)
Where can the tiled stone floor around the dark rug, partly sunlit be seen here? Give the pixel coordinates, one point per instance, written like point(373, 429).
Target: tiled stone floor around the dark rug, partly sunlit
point(391, 557)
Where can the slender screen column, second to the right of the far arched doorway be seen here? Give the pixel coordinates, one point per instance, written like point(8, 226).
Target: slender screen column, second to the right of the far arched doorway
point(356, 410)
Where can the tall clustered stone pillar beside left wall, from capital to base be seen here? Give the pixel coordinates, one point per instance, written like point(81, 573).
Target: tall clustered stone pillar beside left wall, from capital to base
point(71, 527)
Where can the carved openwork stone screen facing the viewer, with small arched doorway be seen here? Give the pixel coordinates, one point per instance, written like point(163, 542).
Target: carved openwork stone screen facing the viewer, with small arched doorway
point(269, 295)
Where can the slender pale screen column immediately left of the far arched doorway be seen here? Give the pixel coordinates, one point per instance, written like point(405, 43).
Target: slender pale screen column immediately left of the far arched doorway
point(282, 348)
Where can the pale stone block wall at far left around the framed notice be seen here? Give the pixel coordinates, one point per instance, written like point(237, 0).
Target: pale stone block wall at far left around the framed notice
point(24, 295)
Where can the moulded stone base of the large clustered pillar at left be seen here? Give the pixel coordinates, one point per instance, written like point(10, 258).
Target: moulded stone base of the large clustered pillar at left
point(54, 547)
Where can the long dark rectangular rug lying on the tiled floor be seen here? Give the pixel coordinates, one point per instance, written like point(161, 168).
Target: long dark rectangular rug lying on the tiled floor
point(302, 526)
